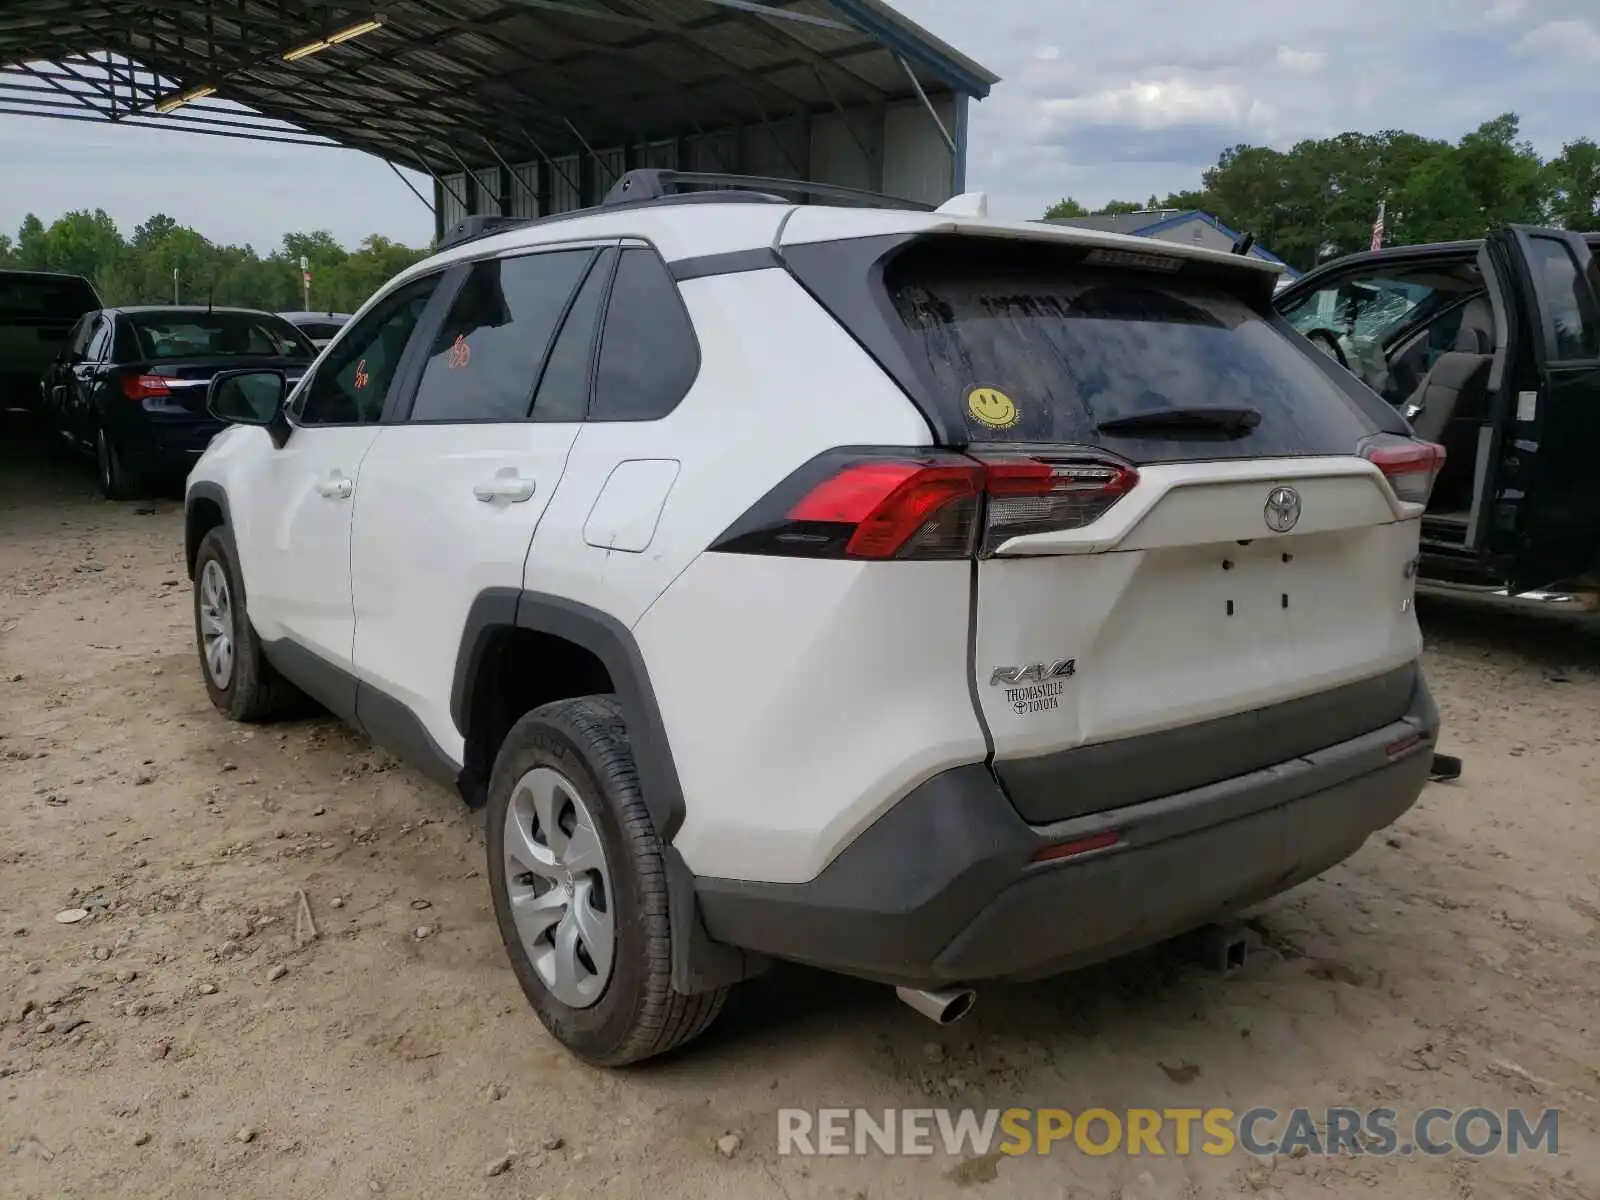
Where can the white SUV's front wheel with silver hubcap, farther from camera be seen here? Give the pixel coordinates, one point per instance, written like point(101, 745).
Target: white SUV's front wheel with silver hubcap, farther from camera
point(238, 679)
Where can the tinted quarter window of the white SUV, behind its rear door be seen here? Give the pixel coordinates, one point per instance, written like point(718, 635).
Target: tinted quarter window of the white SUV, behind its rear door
point(649, 356)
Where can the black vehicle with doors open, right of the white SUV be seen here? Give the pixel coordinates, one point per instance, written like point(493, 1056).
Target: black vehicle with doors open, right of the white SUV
point(1492, 350)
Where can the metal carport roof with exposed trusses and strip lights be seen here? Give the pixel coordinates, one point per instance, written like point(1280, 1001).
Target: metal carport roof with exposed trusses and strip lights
point(444, 86)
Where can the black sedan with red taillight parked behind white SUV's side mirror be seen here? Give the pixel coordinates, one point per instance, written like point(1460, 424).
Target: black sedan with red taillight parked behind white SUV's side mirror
point(132, 385)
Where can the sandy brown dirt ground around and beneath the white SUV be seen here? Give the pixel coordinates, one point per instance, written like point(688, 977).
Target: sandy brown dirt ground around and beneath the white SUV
point(151, 1050)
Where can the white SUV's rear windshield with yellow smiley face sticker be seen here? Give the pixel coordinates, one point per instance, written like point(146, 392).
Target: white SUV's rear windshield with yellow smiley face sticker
point(1046, 353)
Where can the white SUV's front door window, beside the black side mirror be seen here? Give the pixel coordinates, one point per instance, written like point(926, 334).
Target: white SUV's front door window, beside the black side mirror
point(351, 385)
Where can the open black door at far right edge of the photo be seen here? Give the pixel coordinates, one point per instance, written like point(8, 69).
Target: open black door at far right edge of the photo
point(1550, 487)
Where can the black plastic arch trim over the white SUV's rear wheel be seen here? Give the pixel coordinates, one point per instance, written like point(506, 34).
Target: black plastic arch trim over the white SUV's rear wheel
point(606, 638)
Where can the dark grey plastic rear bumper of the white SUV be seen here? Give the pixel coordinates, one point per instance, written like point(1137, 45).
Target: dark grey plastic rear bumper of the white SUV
point(945, 887)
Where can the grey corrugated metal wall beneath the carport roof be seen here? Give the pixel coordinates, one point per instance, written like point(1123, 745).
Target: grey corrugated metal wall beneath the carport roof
point(895, 150)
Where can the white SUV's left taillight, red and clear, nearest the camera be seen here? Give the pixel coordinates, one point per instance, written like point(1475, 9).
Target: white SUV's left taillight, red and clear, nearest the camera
point(898, 505)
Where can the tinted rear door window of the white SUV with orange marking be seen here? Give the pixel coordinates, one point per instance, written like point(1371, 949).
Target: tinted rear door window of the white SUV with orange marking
point(487, 358)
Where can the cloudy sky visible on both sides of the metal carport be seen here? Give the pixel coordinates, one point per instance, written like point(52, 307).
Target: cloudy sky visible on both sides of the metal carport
point(1098, 102)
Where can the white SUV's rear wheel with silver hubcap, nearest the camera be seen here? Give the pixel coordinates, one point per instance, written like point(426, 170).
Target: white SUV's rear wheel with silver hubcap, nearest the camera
point(582, 890)
